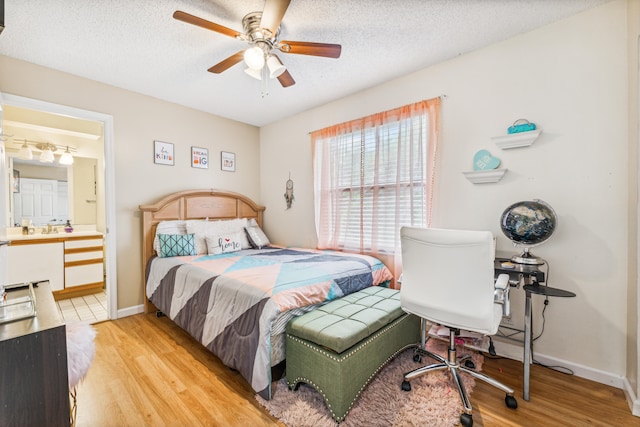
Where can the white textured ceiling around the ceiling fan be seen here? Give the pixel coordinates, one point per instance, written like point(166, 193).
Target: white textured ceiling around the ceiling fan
point(137, 45)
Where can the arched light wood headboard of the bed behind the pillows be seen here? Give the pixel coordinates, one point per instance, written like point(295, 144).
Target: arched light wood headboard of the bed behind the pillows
point(192, 204)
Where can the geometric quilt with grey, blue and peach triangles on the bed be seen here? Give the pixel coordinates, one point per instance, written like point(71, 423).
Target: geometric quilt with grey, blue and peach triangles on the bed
point(229, 302)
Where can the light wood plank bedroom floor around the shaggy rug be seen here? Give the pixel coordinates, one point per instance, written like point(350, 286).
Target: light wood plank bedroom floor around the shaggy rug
point(148, 372)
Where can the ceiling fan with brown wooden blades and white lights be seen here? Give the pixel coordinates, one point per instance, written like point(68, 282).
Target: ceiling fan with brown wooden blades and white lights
point(262, 31)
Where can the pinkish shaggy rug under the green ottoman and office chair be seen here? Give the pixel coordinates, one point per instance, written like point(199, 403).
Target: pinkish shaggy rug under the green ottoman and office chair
point(432, 401)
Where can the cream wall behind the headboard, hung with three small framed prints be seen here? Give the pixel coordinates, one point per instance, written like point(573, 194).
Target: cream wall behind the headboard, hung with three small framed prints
point(138, 121)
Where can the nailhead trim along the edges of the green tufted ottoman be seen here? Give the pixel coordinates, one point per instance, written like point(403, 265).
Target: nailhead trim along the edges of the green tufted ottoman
point(333, 356)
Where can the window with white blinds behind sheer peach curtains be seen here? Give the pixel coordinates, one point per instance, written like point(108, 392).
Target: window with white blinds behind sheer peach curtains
point(374, 175)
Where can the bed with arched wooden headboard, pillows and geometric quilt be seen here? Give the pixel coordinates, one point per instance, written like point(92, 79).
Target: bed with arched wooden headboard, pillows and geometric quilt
point(231, 291)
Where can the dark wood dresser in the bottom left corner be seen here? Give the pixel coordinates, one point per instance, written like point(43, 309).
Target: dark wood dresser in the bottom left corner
point(34, 389)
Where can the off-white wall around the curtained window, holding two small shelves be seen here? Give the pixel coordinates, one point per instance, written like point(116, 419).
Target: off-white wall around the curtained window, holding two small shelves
point(571, 79)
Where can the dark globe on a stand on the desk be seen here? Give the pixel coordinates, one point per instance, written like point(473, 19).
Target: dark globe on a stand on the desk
point(528, 223)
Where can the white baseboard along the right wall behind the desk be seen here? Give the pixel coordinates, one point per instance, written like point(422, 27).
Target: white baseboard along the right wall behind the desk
point(516, 352)
